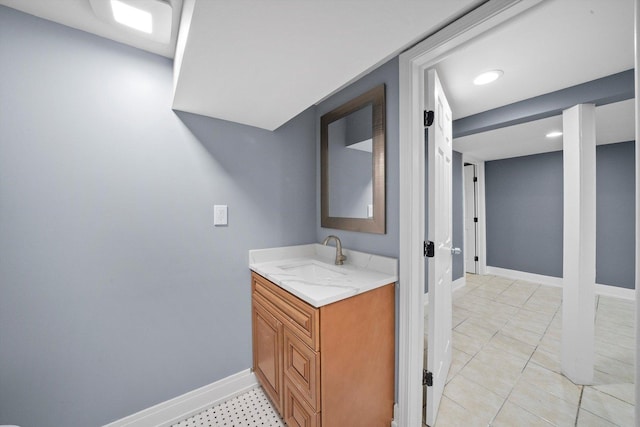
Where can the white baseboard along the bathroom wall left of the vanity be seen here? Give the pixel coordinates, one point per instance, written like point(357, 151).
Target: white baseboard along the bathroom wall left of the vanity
point(167, 413)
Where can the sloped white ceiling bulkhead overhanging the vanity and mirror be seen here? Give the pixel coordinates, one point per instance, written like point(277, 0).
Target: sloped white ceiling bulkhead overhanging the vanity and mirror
point(261, 63)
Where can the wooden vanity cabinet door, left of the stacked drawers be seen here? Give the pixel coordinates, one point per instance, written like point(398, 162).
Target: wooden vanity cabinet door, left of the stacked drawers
point(267, 353)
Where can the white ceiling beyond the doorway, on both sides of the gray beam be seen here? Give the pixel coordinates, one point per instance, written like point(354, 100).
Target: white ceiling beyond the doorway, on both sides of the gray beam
point(557, 44)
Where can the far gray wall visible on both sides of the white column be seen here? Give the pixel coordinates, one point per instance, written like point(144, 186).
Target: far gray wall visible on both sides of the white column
point(525, 222)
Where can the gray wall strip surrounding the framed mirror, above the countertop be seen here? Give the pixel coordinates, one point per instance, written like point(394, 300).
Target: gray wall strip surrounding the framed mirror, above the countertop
point(382, 244)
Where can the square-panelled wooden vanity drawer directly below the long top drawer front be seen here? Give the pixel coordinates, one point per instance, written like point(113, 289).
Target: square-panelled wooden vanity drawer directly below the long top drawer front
point(302, 368)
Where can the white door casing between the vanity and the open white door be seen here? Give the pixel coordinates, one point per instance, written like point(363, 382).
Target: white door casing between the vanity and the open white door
point(412, 66)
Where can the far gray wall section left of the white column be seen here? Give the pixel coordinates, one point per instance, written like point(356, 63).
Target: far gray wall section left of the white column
point(524, 213)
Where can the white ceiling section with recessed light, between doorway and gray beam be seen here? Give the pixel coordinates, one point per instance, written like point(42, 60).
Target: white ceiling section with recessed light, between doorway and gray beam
point(554, 45)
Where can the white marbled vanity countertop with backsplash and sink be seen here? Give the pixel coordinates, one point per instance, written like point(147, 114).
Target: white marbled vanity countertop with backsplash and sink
point(309, 271)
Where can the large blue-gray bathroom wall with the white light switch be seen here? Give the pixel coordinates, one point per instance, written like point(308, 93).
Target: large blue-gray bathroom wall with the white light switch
point(116, 290)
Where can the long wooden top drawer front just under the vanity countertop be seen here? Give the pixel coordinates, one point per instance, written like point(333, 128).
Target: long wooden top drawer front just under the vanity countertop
point(300, 316)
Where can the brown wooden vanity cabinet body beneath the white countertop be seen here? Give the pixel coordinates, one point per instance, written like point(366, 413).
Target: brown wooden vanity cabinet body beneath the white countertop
point(331, 366)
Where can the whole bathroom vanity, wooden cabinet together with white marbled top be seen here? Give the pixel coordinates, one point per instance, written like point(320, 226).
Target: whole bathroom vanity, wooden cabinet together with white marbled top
point(324, 335)
